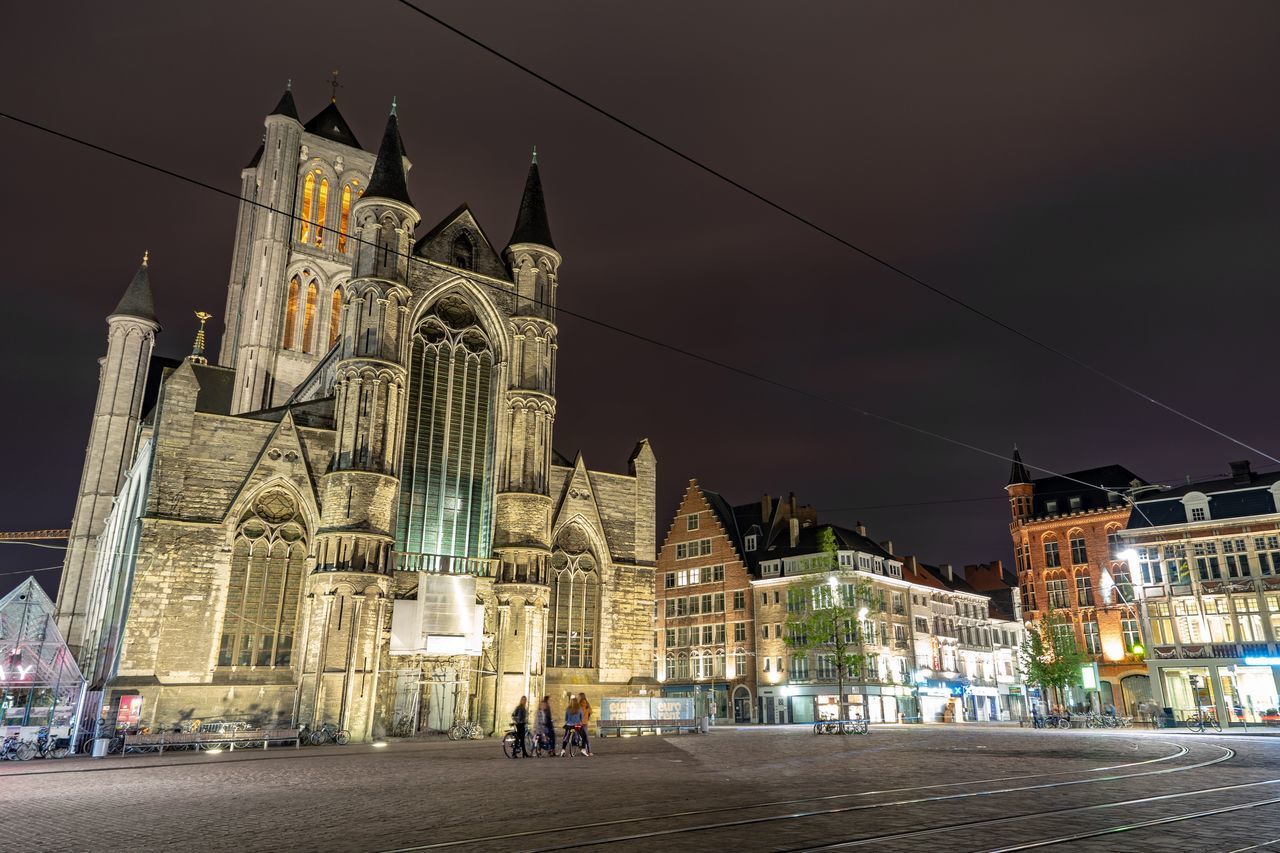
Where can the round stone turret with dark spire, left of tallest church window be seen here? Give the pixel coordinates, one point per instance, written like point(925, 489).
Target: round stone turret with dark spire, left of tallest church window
point(349, 592)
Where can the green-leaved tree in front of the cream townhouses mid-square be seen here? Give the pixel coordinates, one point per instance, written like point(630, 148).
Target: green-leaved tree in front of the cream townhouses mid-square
point(826, 615)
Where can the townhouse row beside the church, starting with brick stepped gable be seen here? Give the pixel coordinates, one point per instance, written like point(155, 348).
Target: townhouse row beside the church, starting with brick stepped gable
point(939, 645)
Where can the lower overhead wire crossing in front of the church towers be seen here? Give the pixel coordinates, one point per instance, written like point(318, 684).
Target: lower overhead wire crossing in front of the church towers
point(605, 325)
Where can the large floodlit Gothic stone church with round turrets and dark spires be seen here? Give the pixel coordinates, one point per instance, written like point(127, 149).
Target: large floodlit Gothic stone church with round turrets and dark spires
point(358, 516)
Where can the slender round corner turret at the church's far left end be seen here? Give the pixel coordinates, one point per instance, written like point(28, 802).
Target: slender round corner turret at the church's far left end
point(113, 437)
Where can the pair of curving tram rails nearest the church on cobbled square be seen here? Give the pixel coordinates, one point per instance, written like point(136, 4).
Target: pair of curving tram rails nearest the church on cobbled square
point(1180, 751)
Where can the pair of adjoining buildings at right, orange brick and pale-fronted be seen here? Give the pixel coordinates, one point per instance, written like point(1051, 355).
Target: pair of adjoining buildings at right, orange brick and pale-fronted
point(1174, 594)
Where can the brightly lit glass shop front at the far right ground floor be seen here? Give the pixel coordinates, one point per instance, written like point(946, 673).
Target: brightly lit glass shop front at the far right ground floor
point(1237, 692)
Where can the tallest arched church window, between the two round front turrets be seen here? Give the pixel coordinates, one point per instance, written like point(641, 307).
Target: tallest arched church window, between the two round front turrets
point(446, 473)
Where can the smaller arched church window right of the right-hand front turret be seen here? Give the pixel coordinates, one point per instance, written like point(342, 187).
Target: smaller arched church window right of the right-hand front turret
point(575, 604)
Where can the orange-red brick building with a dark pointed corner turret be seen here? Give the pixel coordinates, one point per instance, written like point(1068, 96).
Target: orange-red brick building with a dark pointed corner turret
point(1064, 548)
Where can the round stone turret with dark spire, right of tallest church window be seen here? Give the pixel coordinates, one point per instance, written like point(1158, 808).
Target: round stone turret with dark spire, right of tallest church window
point(523, 501)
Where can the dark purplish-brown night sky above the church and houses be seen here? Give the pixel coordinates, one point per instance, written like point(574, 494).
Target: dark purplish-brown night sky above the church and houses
point(1103, 177)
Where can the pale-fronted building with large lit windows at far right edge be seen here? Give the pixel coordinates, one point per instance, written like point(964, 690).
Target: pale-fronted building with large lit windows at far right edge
point(1206, 559)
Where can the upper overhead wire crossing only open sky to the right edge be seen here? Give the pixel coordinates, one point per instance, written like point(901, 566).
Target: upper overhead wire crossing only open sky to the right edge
point(826, 232)
